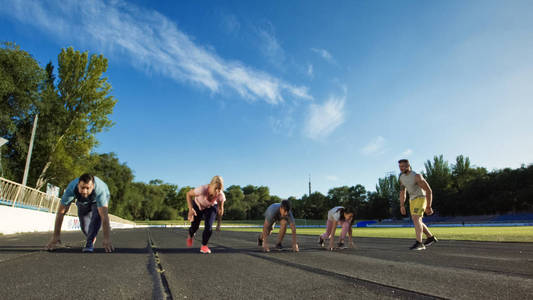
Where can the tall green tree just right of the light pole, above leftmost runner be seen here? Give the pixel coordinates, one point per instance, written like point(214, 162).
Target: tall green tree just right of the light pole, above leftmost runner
point(72, 115)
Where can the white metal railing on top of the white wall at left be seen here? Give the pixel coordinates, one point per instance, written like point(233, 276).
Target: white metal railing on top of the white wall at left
point(17, 195)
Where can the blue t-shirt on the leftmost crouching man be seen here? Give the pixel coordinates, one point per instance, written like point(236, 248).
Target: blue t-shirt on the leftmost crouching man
point(99, 196)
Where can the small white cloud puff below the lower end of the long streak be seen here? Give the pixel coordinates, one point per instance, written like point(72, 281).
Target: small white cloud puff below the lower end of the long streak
point(323, 119)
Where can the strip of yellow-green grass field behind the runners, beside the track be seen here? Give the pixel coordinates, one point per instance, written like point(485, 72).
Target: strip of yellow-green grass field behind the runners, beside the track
point(492, 234)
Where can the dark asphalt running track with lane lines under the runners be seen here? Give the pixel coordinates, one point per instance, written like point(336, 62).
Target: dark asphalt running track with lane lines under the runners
point(154, 264)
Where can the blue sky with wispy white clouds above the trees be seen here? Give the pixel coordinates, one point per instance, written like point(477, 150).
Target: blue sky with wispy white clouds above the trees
point(268, 92)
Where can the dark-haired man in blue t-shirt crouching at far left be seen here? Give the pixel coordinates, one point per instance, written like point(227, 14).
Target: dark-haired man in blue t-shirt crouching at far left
point(92, 197)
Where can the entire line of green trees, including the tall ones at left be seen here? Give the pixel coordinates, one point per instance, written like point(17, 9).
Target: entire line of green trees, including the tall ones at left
point(74, 104)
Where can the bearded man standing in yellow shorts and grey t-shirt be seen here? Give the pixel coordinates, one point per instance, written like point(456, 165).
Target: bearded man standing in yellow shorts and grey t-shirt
point(420, 198)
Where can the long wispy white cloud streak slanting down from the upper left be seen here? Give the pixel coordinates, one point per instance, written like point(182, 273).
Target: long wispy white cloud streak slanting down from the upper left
point(152, 42)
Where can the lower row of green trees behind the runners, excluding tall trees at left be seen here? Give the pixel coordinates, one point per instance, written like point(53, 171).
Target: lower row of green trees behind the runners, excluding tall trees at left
point(459, 189)
